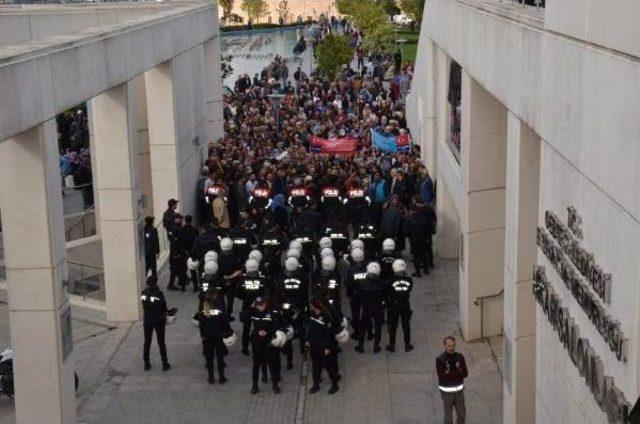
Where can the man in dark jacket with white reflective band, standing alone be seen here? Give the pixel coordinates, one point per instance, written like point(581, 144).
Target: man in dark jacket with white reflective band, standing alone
point(452, 370)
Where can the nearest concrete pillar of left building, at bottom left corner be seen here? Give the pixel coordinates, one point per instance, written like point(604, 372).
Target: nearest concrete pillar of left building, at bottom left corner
point(35, 259)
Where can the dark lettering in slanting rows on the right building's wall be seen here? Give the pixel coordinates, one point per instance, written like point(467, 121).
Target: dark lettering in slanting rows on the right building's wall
point(561, 244)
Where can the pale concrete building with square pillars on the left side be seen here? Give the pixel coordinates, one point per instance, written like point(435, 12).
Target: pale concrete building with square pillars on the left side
point(150, 73)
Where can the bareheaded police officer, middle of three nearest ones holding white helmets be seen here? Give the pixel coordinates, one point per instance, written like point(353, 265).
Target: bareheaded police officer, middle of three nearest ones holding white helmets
point(264, 326)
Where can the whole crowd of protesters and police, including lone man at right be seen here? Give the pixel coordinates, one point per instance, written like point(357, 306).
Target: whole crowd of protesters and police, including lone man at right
point(289, 235)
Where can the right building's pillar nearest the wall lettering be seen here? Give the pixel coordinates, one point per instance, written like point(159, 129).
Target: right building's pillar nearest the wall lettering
point(523, 168)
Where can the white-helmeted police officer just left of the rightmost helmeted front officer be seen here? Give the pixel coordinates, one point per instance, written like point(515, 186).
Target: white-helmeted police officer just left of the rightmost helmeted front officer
point(373, 297)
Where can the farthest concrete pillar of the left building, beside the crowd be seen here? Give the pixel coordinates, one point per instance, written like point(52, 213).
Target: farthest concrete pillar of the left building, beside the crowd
point(214, 125)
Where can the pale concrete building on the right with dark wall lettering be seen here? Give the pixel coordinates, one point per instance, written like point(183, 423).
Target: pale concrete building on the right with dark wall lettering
point(528, 118)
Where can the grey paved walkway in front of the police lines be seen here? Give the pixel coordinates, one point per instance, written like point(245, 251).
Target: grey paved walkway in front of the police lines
point(382, 388)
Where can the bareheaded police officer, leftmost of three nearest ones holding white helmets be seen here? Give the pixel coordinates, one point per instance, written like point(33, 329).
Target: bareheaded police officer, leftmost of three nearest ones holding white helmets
point(214, 327)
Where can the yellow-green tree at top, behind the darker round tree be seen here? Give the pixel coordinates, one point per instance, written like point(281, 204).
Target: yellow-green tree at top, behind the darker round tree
point(371, 18)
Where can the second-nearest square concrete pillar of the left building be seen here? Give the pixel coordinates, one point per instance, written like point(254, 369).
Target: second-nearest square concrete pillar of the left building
point(112, 117)
